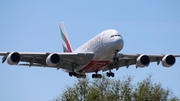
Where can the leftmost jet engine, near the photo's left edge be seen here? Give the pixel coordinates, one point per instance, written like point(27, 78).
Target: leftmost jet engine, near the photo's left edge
point(13, 58)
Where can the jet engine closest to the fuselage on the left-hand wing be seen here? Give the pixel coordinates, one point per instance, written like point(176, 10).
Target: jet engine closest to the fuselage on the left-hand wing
point(53, 59)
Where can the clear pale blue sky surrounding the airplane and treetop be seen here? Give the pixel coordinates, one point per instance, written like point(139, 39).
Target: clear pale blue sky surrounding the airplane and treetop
point(147, 26)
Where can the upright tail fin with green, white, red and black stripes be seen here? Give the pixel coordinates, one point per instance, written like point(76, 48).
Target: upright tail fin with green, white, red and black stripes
point(65, 40)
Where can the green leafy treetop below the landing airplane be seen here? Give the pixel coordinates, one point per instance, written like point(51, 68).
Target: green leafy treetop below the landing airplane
point(109, 89)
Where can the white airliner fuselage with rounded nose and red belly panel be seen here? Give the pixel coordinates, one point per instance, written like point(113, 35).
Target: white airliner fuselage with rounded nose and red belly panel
point(103, 46)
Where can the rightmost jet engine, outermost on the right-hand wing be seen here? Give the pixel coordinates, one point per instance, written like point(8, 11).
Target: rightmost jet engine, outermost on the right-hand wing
point(168, 60)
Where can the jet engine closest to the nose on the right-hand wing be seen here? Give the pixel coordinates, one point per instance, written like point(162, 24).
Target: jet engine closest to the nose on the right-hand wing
point(142, 61)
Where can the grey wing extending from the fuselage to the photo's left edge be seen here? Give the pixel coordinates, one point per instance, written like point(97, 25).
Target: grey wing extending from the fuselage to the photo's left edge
point(39, 59)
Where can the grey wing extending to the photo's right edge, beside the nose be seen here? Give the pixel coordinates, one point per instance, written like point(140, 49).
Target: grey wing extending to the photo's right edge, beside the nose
point(131, 59)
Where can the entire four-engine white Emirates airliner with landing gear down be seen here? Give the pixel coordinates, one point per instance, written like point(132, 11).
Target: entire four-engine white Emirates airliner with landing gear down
point(101, 53)
